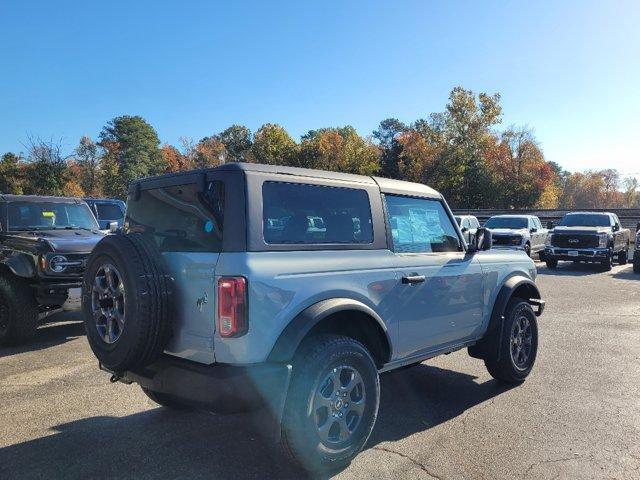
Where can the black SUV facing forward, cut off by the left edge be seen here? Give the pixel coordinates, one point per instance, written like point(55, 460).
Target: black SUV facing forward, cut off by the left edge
point(44, 244)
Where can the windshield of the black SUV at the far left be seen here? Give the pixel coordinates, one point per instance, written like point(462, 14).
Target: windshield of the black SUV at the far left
point(49, 216)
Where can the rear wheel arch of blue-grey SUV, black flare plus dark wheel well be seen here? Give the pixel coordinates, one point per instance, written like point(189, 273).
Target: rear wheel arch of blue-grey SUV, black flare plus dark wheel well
point(342, 316)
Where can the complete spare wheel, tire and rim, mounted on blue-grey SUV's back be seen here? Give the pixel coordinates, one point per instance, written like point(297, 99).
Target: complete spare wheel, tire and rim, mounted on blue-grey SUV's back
point(126, 302)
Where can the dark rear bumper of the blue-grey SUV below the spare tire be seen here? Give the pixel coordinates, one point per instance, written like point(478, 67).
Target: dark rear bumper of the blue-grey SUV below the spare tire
point(215, 387)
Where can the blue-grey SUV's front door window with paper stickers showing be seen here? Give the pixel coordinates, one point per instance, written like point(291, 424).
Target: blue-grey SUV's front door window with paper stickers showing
point(420, 226)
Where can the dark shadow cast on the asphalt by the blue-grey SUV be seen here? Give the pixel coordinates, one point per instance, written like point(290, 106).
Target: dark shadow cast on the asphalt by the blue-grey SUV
point(161, 443)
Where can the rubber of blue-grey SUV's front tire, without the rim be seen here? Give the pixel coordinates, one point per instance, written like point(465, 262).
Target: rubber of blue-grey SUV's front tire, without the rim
point(500, 362)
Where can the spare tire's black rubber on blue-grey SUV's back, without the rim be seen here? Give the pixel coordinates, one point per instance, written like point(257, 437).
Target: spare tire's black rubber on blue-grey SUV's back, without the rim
point(147, 302)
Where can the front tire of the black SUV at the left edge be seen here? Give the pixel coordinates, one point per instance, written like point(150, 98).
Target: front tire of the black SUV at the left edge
point(18, 311)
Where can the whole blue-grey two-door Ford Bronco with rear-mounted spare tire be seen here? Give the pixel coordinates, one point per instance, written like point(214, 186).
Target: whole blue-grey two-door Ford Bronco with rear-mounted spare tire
point(252, 285)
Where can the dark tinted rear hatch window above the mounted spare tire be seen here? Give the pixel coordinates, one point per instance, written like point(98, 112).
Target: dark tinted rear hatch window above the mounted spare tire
point(180, 218)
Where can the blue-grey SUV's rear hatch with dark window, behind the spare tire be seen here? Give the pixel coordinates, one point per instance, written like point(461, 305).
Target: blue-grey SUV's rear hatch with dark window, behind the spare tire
point(185, 222)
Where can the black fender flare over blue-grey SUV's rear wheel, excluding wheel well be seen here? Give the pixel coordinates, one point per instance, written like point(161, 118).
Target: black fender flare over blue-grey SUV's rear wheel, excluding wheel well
point(293, 334)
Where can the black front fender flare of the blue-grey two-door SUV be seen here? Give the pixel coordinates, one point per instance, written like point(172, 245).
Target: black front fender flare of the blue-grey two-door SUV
point(516, 285)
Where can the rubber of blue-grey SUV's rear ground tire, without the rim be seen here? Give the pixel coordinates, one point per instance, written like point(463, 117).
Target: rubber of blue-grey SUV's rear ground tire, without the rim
point(314, 360)
